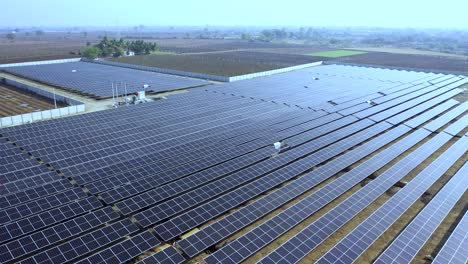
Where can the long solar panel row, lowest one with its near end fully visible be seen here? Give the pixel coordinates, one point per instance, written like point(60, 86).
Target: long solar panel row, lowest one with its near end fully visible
point(195, 244)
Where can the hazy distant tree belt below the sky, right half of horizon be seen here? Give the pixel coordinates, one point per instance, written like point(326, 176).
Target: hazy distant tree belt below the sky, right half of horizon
point(441, 41)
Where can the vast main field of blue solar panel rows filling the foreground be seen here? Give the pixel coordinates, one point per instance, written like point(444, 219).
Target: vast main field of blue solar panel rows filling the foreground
point(182, 179)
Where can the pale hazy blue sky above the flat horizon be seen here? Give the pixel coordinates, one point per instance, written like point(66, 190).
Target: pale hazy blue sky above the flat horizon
point(385, 13)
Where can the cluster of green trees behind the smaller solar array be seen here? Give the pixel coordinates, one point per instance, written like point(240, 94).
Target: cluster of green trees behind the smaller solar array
point(117, 48)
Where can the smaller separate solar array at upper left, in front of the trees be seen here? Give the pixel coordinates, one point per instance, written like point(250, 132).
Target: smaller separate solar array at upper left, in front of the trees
point(96, 79)
